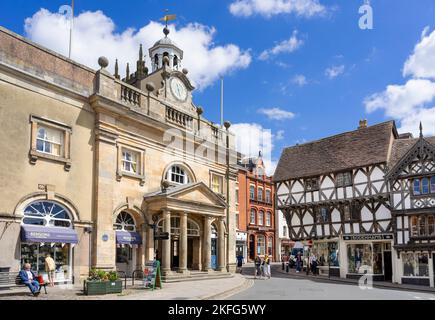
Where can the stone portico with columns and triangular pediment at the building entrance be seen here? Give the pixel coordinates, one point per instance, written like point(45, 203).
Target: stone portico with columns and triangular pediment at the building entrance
point(194, 217)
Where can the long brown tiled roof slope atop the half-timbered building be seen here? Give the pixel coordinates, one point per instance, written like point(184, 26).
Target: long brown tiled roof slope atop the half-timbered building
point(352, 149)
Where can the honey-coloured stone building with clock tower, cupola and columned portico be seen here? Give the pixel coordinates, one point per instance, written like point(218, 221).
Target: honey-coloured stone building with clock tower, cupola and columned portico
point(93, 164)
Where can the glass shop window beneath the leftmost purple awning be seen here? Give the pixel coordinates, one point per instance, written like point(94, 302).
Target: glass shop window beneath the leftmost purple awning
point(35, 255)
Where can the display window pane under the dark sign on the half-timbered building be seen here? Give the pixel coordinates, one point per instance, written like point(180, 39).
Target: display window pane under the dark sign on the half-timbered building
point(364, 258)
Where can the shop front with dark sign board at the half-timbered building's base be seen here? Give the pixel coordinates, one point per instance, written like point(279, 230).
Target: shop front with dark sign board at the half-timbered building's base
point(369, 254)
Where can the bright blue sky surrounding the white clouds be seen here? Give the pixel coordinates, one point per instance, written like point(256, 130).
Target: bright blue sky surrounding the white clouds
point(365, 61)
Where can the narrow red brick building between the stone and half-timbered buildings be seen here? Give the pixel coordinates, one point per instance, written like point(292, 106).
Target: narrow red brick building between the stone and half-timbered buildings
point(256, 218)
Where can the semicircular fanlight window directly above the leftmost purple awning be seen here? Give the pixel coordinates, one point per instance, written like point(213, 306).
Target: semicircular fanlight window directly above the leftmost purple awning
point(48, 214)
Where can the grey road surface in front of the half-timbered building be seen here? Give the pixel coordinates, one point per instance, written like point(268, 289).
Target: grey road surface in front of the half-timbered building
point(285, 287)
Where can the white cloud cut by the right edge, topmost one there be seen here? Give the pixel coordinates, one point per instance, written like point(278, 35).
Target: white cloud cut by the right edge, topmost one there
point(421, 64)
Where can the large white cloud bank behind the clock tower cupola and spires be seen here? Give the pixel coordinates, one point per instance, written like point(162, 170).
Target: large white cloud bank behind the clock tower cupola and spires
point(95, 35)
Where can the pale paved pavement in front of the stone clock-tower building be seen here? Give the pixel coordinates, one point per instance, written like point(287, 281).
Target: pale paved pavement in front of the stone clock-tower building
point(191, 290)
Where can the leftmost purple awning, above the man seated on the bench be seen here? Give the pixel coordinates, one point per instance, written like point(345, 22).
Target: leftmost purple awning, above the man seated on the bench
point(31, 233)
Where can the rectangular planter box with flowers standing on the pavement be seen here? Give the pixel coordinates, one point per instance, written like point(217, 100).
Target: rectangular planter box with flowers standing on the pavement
point(101, 282)
